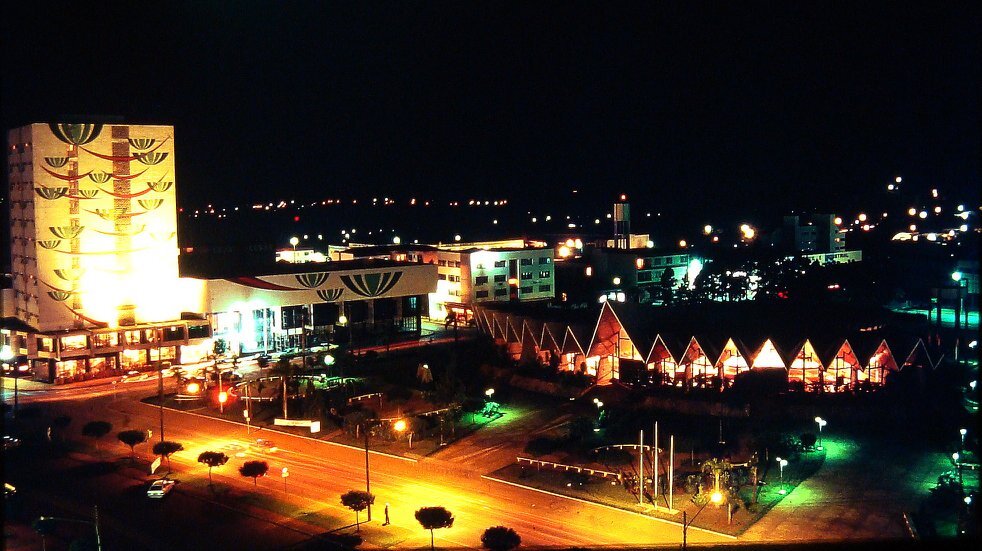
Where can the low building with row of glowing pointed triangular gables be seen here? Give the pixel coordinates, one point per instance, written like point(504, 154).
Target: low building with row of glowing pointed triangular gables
point(702, 348)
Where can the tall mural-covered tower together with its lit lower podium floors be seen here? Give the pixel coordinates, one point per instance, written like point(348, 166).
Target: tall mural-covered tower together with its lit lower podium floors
point(93, 238)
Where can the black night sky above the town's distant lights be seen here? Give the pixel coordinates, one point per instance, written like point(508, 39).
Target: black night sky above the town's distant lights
point(688, 106)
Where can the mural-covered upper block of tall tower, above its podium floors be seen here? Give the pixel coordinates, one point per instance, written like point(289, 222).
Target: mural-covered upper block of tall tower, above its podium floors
point(94, 225)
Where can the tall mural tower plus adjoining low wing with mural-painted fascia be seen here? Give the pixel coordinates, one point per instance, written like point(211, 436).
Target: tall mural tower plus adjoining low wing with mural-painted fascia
point(96, 284)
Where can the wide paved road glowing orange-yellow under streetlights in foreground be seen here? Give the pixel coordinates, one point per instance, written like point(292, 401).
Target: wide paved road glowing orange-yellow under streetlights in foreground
point(319, 472)
